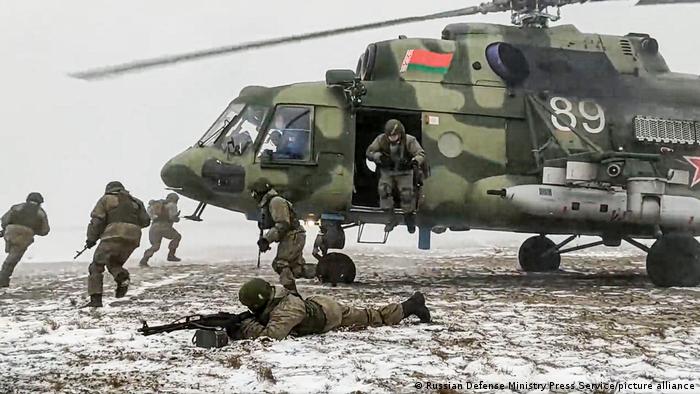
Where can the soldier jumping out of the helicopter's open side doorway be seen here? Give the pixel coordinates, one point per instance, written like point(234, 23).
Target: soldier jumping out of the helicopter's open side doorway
point(398, 155)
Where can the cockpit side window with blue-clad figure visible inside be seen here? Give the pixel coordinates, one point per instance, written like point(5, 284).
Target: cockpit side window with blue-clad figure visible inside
point(289, 135)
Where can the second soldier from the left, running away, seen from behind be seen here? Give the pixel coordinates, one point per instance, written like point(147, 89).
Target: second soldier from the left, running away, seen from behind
point(116, 221)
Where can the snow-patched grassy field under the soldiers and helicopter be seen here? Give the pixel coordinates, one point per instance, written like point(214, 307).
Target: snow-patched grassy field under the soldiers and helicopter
point(598, 321)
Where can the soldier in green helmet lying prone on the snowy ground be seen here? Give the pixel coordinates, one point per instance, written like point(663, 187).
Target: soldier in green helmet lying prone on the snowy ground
point(279, 313)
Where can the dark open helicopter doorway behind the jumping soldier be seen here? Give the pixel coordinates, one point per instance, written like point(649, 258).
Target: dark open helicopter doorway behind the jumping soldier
point(369, 124)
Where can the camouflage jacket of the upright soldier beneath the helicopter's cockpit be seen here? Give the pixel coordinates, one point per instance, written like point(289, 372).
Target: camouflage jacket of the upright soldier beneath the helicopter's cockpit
point(277, 216)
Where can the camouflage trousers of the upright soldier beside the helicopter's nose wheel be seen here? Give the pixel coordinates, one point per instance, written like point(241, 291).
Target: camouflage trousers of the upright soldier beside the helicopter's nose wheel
point(289, 262)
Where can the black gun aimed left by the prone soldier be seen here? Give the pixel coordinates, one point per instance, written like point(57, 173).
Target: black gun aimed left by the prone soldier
point(215, 322)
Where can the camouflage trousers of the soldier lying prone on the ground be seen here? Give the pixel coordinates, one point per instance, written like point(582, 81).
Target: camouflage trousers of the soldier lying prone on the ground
point(338, 315)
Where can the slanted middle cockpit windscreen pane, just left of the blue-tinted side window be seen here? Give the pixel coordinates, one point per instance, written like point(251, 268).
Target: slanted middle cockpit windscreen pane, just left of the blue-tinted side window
point(243, 130)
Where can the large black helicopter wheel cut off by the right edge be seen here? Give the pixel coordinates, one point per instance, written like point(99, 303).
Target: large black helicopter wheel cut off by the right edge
point(674, 260)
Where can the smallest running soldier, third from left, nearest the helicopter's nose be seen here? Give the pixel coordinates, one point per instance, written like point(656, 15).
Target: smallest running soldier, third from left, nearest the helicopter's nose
point(163, 214)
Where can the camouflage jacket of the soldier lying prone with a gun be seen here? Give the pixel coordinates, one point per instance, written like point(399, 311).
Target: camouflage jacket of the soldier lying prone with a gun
point(286, 314)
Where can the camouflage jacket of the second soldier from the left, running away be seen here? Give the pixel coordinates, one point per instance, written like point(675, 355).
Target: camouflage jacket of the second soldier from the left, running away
point(118, 216)
